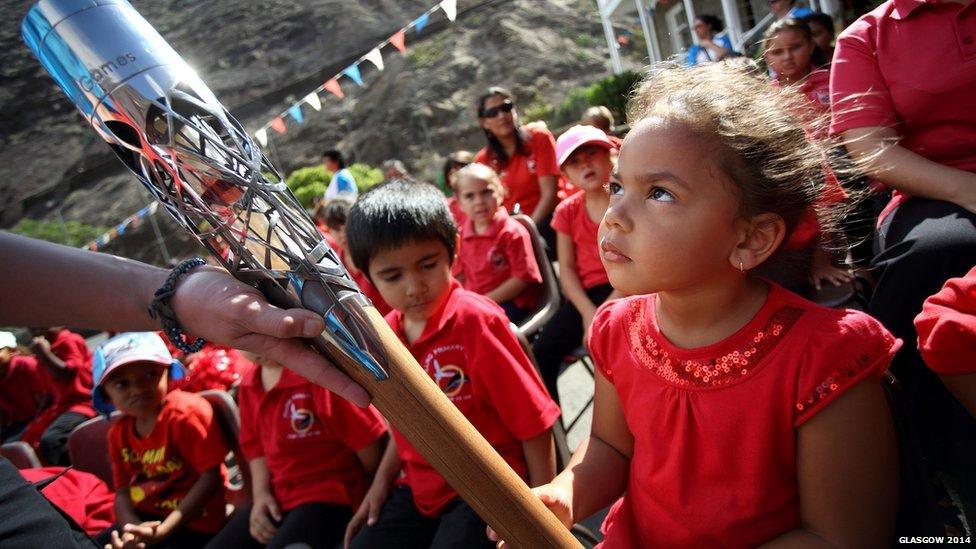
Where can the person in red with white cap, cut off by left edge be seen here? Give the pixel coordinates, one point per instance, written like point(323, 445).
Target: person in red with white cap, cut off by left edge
point(23, 391)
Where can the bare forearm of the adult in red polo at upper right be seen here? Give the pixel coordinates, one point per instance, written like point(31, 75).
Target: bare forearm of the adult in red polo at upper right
point(881, 157)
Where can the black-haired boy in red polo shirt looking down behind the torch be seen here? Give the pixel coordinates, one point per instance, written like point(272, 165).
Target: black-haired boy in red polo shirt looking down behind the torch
point(404, 237)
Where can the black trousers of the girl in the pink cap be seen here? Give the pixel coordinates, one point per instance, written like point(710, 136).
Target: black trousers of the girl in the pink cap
point(561, 336)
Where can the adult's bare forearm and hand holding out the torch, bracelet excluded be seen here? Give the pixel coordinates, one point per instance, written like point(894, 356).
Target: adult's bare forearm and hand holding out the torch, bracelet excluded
point(46, 284)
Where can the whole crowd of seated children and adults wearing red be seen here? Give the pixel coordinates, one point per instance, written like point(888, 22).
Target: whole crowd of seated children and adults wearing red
point(728, 410)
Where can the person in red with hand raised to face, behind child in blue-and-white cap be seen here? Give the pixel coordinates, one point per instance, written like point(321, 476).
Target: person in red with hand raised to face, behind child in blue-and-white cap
point(66, 359)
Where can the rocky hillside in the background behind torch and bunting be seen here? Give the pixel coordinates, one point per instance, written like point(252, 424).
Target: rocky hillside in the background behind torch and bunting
point(261, 55)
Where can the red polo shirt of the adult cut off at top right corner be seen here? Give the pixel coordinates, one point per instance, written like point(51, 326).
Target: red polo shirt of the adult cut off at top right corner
point(911, 65)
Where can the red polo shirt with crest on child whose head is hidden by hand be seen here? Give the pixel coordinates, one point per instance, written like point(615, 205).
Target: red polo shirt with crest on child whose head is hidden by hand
point(308, 438)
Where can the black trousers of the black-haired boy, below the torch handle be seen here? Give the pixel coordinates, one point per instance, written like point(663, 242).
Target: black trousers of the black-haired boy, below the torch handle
point(403, 526)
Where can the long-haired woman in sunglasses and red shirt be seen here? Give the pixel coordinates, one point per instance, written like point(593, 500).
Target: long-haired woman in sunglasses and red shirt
point(524, 157)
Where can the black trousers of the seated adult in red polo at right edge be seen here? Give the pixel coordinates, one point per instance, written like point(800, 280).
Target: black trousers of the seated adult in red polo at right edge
point(918, 247)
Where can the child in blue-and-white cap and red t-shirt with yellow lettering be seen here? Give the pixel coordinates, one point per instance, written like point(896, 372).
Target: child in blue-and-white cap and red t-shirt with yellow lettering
point(167, 450)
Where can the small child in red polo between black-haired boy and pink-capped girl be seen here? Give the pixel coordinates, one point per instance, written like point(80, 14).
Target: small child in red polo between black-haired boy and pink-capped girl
point(496, 258)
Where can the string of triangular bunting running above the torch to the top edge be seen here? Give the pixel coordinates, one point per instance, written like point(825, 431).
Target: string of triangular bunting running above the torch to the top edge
point(352, 72)
